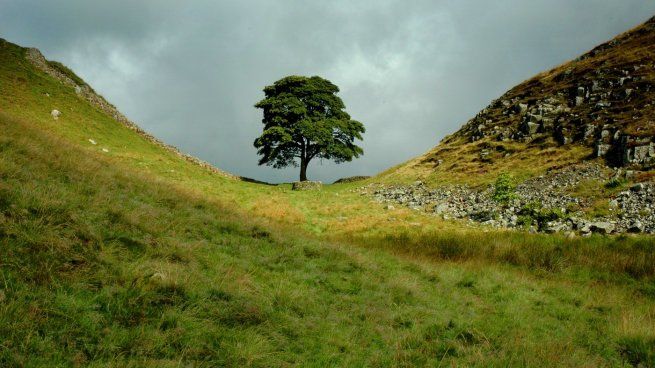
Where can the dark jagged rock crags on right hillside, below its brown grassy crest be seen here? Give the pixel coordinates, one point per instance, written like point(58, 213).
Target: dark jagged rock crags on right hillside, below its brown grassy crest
point(581, 114)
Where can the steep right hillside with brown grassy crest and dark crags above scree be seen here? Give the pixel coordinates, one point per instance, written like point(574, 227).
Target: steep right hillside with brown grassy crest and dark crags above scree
point(604, 100)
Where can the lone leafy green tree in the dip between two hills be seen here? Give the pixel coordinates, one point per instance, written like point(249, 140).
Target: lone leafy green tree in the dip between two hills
point(305, 119)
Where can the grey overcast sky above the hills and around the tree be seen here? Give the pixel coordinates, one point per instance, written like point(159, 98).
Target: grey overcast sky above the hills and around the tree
point(412, 71)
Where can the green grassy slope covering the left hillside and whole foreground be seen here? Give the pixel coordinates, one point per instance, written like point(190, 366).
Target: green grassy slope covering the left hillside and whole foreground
point(136, 257)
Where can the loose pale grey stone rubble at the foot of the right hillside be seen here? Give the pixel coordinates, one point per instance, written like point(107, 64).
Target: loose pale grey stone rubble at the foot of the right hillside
point(542, 204)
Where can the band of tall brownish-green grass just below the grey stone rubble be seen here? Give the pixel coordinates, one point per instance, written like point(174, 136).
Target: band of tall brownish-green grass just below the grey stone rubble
point(603, 257)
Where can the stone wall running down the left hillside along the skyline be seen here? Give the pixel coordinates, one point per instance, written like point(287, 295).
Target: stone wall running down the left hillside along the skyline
point(87, 93)
